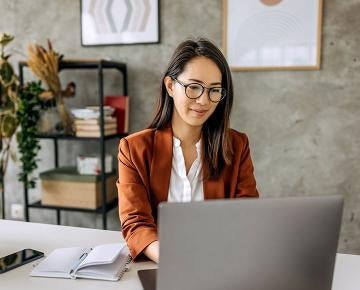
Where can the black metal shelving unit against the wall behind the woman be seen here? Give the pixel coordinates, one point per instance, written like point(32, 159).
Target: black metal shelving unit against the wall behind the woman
point(98, 65)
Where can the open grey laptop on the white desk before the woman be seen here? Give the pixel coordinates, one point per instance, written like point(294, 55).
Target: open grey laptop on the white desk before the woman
point(247, 244)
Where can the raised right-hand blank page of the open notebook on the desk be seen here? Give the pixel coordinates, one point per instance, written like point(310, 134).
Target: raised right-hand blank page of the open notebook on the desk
point(103, 254)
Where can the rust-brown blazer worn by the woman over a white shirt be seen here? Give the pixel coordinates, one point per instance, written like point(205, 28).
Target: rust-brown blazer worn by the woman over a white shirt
point(145, 162)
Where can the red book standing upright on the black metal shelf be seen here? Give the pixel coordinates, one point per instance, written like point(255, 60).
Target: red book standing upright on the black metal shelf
point(121, 113)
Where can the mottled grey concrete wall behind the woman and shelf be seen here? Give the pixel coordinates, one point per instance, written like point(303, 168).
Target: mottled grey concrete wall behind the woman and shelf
point(303, 125)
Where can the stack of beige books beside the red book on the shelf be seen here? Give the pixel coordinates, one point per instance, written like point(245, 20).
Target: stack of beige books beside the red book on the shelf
point(91, 127)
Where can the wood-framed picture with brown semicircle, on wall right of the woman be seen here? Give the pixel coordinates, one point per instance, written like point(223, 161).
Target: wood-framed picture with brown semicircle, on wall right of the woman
point(272, 34)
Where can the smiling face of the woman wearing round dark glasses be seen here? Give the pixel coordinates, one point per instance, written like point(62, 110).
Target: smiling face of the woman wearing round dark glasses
point(194, 112)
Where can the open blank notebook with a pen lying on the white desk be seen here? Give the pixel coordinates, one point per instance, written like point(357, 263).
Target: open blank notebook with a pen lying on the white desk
point(103, 262)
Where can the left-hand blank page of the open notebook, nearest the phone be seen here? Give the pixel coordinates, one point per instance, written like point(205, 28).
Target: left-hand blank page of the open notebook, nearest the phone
point(60, 260)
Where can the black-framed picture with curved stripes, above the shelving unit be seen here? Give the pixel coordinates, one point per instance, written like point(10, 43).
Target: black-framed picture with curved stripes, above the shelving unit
point(109, 22)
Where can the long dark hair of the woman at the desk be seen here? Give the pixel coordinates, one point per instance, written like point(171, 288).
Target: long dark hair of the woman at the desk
point(216, 143)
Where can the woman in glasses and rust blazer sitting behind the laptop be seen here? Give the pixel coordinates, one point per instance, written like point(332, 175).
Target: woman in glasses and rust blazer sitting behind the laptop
point(188, 153)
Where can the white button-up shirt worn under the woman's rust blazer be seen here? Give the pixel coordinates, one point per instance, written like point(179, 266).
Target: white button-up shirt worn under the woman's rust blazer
point(185, 187)
